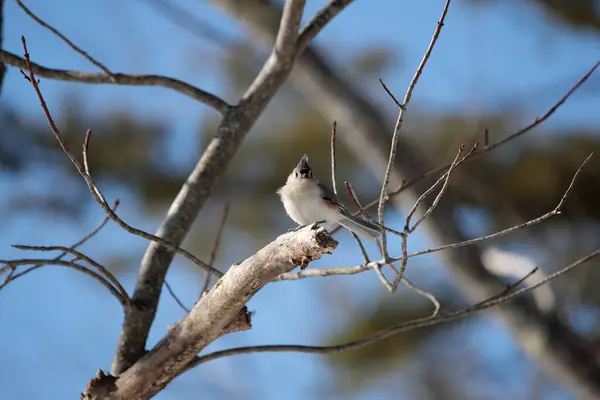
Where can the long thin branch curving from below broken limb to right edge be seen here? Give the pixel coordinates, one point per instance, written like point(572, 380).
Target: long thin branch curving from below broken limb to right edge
point(393, 330)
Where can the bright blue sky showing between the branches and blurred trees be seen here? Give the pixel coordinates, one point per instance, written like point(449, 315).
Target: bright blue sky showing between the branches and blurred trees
point(58, 327)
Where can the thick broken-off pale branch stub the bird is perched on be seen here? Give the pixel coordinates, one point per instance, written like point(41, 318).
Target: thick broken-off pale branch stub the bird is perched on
point(216, 313)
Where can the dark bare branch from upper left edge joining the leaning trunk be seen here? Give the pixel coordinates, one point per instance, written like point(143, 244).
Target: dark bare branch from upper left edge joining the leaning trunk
point(119, 79)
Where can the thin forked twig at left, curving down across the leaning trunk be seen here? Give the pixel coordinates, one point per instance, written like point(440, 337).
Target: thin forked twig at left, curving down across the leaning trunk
point(88, 178)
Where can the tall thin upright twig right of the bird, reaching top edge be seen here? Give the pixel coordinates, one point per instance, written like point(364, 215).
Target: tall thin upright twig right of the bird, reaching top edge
point(395, 138)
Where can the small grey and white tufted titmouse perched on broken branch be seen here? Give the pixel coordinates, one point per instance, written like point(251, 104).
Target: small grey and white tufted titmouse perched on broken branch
point(307, 201)
